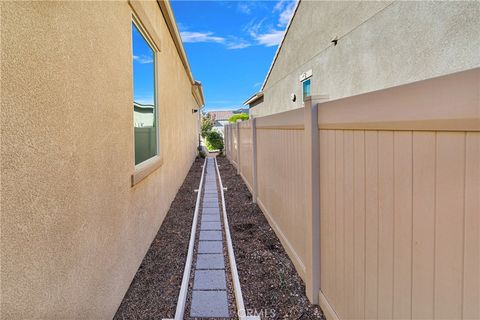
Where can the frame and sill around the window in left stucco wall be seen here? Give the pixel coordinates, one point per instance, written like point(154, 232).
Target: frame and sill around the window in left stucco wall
point(146, 167)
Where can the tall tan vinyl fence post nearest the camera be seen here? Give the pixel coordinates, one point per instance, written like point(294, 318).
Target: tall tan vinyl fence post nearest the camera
point(312, 201)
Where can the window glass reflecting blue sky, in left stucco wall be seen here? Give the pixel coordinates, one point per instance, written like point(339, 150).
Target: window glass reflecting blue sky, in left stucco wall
point(144, 106)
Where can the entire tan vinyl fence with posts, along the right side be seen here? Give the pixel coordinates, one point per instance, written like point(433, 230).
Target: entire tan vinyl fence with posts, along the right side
point(376, 197)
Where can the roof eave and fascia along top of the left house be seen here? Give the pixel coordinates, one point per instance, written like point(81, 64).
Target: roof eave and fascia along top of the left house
point(167, 12)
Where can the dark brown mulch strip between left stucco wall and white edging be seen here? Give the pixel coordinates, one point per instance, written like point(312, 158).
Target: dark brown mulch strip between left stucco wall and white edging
point(154, 290)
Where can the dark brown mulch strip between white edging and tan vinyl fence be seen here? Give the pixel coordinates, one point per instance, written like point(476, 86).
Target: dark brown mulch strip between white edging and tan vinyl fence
point(271, 286)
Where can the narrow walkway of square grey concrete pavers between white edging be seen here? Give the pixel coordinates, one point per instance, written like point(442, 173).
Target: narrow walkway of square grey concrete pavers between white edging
point(209, 296)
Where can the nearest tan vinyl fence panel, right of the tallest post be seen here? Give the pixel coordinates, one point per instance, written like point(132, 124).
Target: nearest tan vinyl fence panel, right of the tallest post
point(399, 222)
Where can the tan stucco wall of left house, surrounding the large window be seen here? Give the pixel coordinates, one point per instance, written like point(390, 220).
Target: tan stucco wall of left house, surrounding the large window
point(73, 230)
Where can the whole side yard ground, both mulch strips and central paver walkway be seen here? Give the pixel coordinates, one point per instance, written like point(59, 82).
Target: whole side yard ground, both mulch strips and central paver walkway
point(270, 285)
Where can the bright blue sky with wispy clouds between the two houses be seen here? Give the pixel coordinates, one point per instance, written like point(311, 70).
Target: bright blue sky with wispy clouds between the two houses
point(230, 45)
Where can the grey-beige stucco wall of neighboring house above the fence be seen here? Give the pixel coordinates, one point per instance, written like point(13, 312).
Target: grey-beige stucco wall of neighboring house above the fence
point(381, 45)
